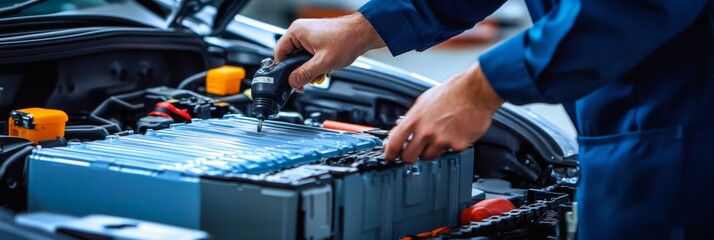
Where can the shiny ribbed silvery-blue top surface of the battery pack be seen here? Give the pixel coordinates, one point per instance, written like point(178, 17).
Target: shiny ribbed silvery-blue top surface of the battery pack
point(217, 146)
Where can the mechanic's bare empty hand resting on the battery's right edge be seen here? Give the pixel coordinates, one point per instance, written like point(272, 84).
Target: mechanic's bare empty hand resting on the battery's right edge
point(450, 116)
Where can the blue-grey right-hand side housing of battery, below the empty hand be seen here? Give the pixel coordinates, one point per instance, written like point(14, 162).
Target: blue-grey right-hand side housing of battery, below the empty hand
point(403, 201)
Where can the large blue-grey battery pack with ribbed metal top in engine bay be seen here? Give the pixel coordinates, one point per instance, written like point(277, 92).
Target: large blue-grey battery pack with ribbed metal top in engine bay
point(219, 175)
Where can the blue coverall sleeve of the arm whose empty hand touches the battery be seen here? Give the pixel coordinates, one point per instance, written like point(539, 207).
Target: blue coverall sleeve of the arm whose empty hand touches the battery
point(581, 45)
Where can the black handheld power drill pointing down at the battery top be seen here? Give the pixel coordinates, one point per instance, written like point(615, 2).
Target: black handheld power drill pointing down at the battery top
point(270, 88)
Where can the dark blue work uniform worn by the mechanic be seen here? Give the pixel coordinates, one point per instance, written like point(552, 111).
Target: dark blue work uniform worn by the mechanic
point(639, 77)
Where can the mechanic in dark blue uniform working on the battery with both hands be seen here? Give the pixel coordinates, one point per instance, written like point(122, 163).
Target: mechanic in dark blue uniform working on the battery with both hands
point(637, 78)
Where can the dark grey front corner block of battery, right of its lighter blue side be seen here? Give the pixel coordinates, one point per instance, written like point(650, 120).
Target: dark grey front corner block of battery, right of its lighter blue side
point(231, 210)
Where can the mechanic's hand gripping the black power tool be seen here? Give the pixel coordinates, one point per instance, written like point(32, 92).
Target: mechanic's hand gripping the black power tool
point(335, 43)
